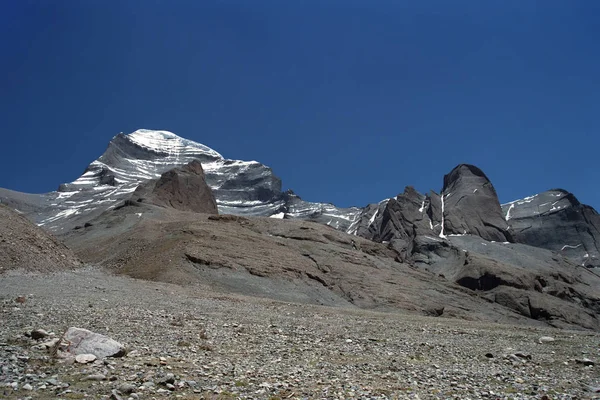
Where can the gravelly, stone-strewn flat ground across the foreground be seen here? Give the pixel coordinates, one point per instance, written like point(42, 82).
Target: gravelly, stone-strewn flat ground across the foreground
point(191, 343)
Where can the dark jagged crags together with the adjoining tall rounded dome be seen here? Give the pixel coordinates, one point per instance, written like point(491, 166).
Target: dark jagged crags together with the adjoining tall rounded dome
point(468, 205)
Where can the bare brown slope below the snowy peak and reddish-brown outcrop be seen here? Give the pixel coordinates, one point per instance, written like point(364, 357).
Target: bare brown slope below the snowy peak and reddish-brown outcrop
point(298, 261)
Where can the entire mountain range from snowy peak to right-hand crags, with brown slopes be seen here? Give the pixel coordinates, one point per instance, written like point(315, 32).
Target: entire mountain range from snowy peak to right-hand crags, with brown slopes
point(146, 208)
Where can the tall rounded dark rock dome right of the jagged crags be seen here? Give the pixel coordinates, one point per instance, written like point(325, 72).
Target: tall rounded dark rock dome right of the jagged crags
point(471, 205)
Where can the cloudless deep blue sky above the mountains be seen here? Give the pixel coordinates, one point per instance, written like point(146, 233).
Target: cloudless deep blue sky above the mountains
point(347, 101)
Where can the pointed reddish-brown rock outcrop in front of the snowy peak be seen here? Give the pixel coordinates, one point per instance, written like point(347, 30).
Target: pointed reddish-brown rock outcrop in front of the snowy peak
point(182, 188)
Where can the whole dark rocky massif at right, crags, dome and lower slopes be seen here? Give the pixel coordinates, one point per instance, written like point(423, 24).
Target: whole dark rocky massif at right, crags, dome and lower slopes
point(520, 255)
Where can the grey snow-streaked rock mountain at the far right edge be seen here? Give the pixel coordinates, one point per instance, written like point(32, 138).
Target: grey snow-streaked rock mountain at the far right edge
point(556, 220)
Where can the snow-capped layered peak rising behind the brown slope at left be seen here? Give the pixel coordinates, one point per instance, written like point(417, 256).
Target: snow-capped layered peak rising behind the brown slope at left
point(240, 187)
